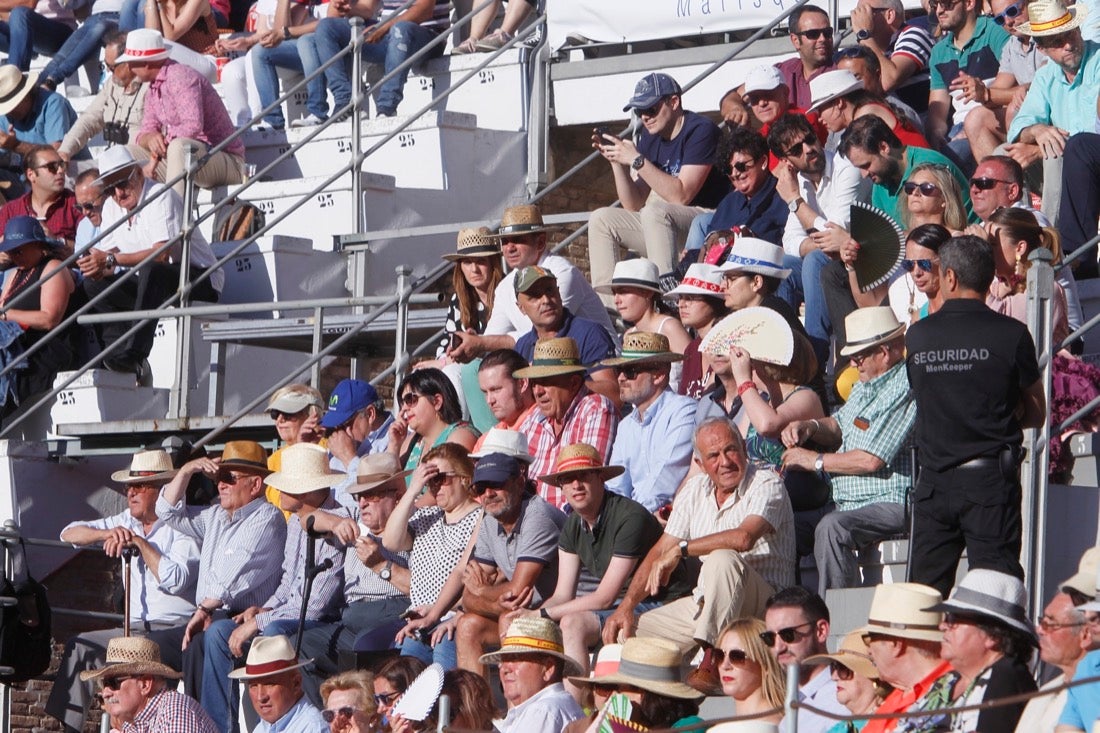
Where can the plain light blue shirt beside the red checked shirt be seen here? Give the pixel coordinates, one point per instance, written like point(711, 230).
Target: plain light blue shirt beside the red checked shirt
point(655, 450)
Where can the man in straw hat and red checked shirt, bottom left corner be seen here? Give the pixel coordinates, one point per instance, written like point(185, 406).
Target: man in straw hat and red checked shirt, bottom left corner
point(136, 692)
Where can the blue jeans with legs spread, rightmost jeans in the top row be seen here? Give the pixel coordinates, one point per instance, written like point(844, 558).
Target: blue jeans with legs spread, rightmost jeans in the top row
point(404, 40)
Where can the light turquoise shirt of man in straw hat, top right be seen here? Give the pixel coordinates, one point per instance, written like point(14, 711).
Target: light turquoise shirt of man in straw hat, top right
point(1053, 101)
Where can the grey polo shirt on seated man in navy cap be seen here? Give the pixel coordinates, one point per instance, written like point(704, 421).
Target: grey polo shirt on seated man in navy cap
point(533, 540)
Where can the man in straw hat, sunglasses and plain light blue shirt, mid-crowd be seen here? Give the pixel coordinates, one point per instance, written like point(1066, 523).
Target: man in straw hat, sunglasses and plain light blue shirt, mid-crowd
point(654, 442)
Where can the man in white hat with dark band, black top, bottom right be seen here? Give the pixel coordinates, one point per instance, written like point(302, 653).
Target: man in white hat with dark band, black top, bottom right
point(989, 641)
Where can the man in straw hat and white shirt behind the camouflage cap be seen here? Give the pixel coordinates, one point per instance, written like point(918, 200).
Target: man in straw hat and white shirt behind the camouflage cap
point(524, 243)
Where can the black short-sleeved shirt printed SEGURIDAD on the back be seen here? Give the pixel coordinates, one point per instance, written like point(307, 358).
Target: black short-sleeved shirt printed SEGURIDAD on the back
point(969, 368)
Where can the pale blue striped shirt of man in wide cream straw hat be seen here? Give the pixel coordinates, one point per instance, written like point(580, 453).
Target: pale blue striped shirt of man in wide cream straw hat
point(326, 598)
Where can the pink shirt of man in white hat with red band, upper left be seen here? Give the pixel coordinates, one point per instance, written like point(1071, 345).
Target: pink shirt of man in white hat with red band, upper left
point(181, 103)
